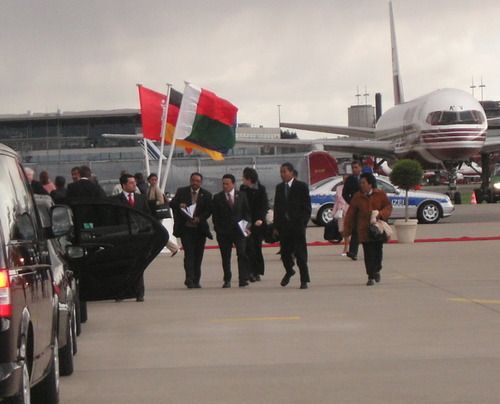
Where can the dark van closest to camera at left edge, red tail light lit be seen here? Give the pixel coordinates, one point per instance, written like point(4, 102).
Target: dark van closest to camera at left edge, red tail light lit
point(29, 349)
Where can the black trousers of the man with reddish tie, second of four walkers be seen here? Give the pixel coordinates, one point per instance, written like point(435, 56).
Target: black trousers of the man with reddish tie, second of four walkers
point(226, 242)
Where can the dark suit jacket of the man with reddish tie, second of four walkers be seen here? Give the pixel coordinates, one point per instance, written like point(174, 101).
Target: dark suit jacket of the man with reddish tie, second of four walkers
point(226, 219)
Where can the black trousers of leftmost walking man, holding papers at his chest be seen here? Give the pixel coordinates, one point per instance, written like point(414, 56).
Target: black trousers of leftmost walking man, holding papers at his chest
point(193, 243)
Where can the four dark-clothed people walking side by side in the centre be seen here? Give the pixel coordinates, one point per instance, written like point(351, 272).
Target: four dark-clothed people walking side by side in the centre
point(239, 220)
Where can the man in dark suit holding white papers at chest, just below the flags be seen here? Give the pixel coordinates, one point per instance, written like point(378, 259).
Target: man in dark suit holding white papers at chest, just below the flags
point(193, 231)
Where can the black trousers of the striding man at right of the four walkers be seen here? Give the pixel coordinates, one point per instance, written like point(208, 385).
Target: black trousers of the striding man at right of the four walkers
point(293, 244)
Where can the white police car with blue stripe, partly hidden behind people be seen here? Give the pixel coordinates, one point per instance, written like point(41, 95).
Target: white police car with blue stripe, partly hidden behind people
point(427, 207)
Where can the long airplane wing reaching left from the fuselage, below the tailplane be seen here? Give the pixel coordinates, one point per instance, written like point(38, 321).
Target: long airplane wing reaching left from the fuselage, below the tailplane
point(366, 147)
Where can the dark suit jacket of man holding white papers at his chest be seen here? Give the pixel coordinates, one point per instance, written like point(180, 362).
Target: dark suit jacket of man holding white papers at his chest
point(203, 210)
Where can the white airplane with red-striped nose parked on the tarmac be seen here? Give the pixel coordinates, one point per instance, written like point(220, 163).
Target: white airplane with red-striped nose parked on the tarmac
point(443, 128)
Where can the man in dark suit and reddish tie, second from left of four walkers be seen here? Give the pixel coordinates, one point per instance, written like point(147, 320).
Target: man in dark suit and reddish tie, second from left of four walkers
point(229, 207)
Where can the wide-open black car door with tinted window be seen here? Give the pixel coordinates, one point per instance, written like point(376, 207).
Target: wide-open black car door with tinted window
point(119, 243)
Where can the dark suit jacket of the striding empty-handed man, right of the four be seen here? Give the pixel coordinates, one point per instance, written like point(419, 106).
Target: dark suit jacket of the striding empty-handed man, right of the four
point(295, 211)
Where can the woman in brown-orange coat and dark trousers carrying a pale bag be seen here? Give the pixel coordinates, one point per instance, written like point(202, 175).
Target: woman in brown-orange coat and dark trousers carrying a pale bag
point(368, 199)
